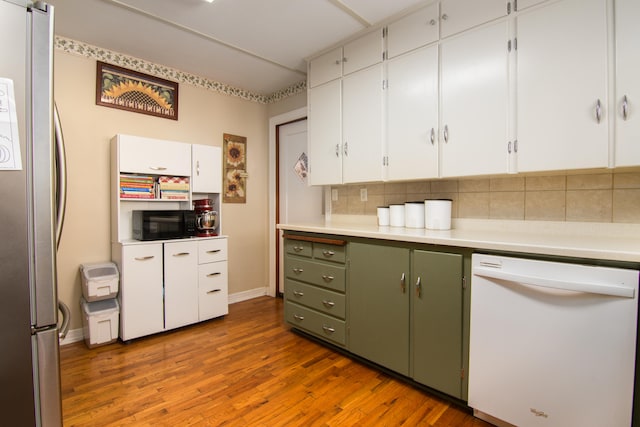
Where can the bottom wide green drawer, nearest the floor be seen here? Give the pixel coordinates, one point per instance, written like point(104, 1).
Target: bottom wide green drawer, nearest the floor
point(321, 325)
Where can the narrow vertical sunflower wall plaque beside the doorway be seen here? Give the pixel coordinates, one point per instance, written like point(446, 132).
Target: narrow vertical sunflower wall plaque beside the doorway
point(235, 168)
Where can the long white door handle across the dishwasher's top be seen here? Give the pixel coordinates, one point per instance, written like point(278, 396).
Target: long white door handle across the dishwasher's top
point(565, 285)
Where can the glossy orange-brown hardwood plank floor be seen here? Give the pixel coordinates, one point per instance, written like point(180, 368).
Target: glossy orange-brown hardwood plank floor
point(247, 369)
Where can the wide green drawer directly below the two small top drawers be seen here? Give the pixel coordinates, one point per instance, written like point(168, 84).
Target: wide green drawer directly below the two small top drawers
point(317, 273)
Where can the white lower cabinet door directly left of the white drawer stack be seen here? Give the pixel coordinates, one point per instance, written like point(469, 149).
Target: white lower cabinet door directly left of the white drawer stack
point(180, 284)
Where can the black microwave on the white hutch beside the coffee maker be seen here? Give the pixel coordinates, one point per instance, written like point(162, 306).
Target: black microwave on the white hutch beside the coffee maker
point(161, 225)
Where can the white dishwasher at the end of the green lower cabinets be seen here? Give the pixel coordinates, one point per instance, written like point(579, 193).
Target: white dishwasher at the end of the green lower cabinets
point(552, 343)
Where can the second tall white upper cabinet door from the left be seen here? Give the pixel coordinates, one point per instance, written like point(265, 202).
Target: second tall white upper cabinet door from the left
point(362, 130)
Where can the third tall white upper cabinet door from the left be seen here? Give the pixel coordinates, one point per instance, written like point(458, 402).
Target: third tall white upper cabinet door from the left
point(412, 113)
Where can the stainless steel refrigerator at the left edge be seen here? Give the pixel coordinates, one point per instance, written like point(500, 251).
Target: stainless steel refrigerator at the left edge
point(29, 353)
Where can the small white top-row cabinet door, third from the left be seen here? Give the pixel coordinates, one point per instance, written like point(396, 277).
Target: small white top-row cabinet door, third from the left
point(413, 31)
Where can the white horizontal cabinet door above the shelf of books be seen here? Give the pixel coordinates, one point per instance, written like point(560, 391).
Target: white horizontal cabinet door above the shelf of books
point(153, 156)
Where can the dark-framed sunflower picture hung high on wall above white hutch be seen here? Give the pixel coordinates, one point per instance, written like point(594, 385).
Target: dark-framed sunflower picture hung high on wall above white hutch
point(124, 89)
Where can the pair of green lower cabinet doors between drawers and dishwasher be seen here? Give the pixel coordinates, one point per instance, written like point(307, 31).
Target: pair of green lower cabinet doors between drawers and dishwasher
point(406, 311)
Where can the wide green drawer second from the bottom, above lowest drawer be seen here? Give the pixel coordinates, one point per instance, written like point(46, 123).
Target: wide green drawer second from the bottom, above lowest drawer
point(323, 300)
